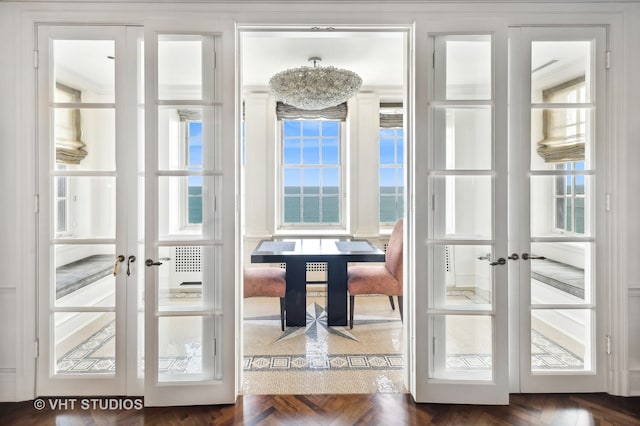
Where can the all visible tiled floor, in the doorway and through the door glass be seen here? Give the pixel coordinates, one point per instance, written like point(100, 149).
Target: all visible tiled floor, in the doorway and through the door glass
point(316, 358)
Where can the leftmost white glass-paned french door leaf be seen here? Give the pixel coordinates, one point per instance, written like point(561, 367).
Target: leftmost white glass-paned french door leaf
point(89, 249)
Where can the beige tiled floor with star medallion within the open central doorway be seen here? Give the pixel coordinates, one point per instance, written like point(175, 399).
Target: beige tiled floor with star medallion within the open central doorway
point(320, 359)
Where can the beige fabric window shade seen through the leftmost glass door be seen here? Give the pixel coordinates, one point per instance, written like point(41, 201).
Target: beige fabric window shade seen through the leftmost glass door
point(69, 147)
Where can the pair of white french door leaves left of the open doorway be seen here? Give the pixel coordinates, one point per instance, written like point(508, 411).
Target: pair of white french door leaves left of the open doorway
point(137, 212)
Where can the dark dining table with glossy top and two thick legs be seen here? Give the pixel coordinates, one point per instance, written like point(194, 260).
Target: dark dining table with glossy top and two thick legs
point(297, 253)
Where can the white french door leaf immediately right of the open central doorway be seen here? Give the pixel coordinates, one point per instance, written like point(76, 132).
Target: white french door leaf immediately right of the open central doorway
point(461, 293)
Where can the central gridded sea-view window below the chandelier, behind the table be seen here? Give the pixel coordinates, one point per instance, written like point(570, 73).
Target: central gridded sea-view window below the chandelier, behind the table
point(311, 174)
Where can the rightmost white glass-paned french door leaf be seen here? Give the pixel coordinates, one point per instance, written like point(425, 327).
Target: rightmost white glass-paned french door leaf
point(558, 144)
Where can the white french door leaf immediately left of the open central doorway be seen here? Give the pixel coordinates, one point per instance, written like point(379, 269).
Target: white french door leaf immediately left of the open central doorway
point(190, 319)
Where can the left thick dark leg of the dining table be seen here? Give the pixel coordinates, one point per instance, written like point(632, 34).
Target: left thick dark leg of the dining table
point(296, 296)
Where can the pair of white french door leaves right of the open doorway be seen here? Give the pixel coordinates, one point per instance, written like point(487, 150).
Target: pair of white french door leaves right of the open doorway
point(508, 297)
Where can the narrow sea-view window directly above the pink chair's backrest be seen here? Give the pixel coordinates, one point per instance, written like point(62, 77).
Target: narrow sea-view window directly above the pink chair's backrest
point(391, 187)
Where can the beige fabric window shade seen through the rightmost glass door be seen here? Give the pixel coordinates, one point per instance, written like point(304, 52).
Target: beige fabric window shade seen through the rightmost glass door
point(563, 128)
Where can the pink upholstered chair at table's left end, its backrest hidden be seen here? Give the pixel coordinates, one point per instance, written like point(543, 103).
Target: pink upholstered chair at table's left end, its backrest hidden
point(266, 281)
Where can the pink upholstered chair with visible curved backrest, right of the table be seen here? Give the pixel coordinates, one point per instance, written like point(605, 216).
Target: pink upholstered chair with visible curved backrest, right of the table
point(379, 279)
